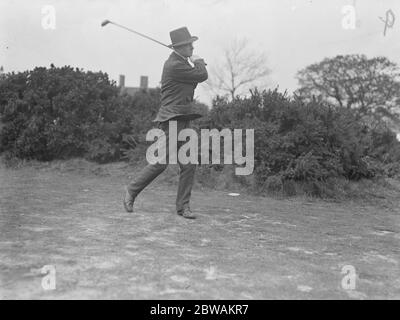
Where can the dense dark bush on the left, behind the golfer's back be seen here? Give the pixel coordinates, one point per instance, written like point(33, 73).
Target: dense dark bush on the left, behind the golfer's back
point(64, 112)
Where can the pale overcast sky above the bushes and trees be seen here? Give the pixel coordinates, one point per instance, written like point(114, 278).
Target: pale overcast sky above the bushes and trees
point(293, 33)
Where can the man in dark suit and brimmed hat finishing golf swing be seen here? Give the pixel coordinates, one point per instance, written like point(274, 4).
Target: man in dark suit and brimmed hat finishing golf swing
point(178, 82)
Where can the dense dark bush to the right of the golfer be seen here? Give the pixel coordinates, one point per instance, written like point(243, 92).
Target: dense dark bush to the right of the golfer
point(310, 142)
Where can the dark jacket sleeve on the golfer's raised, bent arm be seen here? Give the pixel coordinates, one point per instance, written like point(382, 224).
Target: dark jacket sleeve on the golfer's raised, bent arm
point(183, 72)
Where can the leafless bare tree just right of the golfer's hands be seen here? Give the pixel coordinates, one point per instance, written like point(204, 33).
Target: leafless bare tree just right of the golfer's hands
point(239, 69)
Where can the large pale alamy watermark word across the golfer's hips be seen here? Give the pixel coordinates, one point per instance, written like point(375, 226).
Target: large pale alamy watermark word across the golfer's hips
point(189, 152)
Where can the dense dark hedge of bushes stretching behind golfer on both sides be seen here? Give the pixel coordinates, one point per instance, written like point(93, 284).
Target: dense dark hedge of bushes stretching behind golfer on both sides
point(60, 113)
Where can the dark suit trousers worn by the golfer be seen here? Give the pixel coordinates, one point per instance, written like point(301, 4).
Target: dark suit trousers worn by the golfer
point(152, 171)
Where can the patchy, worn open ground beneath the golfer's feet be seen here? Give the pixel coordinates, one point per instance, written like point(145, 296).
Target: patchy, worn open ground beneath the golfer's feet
point(240, 247)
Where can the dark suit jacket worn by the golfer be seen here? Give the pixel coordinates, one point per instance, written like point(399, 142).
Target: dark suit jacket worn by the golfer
point(178, 82)
